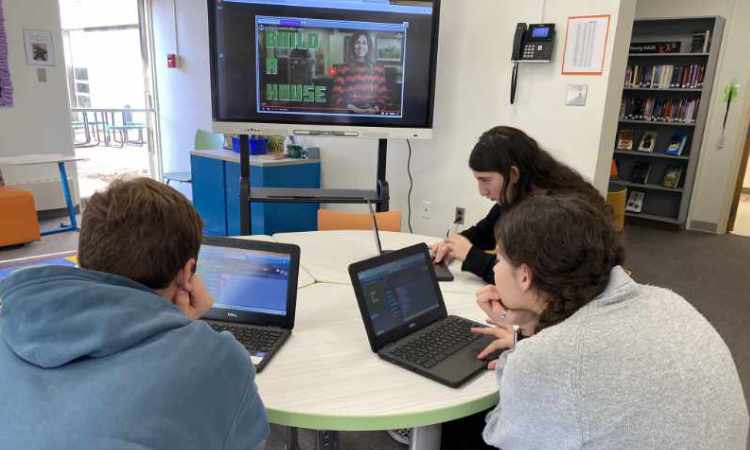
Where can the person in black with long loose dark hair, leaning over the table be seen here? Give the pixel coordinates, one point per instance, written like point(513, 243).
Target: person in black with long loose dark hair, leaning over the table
point(509, 166)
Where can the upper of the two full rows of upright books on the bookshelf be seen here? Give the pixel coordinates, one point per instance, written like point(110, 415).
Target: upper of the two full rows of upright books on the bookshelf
point(689, 76)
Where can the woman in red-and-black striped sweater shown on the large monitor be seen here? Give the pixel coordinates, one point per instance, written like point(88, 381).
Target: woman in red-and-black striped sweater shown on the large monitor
point(359, 86)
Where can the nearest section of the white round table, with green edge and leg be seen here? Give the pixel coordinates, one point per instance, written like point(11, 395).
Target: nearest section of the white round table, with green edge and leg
point(327, 378)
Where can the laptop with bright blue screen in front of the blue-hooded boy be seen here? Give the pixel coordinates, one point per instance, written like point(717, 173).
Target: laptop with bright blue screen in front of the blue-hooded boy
point(254, 286)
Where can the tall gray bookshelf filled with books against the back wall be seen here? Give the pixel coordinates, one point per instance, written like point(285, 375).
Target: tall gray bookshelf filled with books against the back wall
point(666, 95)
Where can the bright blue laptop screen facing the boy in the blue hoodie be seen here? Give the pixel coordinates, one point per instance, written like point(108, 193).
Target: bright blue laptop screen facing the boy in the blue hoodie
point(246, 280)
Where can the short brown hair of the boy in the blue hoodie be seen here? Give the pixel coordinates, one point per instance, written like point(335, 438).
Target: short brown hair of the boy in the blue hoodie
point(140, 229)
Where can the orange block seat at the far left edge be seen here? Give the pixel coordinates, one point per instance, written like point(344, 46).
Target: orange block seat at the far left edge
point(18, 221)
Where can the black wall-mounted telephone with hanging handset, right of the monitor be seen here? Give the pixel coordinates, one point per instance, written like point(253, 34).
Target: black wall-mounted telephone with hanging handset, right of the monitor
point(531, 43)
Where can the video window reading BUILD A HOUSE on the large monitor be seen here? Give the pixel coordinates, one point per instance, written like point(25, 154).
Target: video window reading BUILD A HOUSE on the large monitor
point(330, 67)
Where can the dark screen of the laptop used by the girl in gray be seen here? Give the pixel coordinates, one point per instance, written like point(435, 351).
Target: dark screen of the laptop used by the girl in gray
point(398, 292)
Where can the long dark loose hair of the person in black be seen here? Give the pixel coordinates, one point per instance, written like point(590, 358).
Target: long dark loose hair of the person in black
point(500, 148)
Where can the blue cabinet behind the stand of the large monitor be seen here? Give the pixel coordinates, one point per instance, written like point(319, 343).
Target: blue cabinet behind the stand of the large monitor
point(216, 191)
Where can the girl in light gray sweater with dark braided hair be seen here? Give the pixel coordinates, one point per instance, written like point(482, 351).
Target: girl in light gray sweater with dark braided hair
point(607, 363)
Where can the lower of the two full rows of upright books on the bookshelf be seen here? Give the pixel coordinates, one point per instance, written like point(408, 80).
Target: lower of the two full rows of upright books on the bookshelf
point(670, 110)
